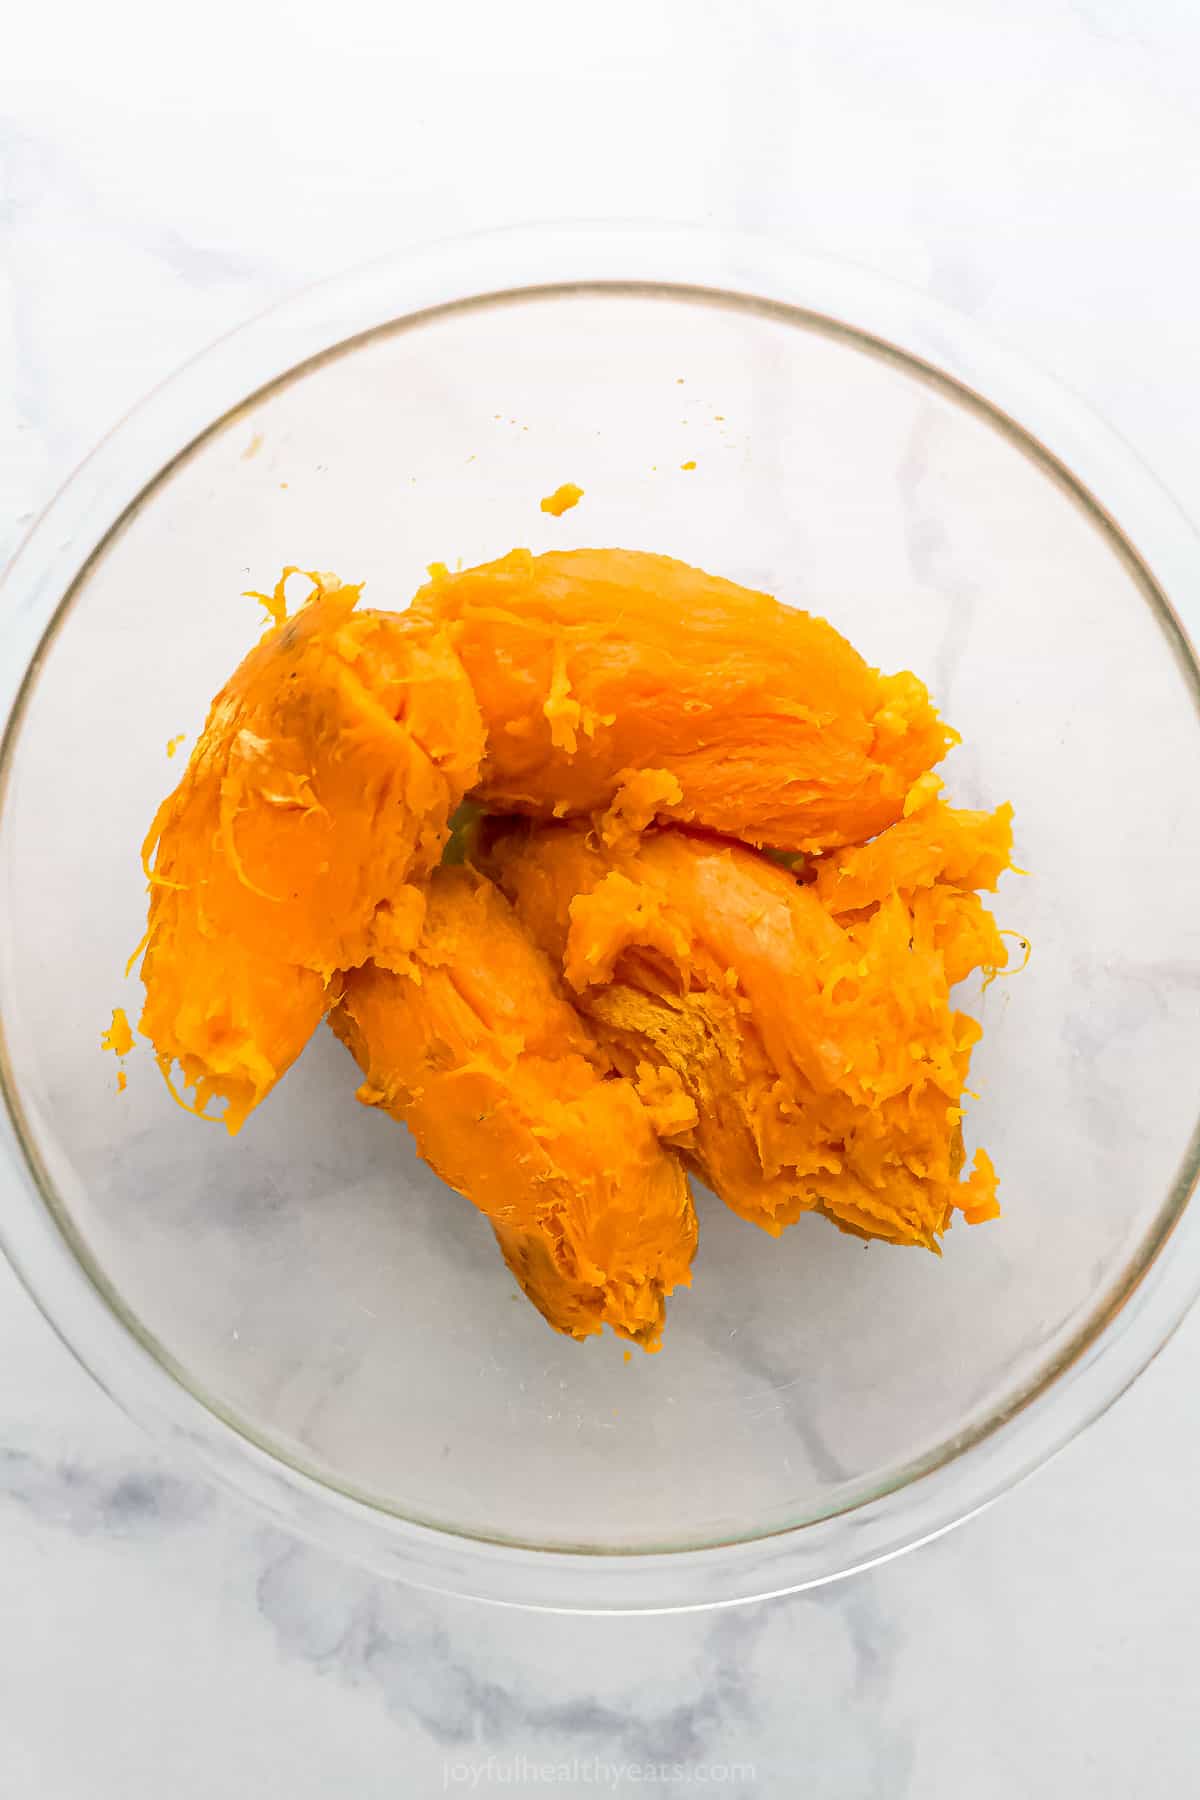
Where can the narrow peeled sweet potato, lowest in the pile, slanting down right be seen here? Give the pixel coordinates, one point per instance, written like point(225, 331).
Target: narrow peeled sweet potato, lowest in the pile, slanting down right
point(510, 1099)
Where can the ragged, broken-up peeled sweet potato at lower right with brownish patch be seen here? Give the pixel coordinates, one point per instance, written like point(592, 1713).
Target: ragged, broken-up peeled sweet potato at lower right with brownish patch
point(818, 1047)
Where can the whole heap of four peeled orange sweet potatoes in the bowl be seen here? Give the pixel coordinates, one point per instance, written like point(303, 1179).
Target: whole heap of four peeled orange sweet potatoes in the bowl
point(607, 980)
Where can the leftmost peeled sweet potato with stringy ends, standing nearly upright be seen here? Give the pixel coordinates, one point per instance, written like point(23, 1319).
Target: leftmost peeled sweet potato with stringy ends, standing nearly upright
point(300, 838)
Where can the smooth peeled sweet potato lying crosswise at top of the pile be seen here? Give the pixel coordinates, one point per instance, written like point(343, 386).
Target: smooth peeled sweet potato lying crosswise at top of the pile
point(600, 667)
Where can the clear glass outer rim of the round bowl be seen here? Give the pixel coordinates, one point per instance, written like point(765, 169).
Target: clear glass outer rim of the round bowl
point(1124, 1331)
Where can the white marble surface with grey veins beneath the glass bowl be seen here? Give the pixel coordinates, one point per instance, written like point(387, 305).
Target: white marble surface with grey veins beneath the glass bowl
point(1037, 163)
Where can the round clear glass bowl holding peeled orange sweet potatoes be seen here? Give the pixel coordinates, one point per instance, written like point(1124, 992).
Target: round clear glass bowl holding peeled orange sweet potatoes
point(309, 1308)
